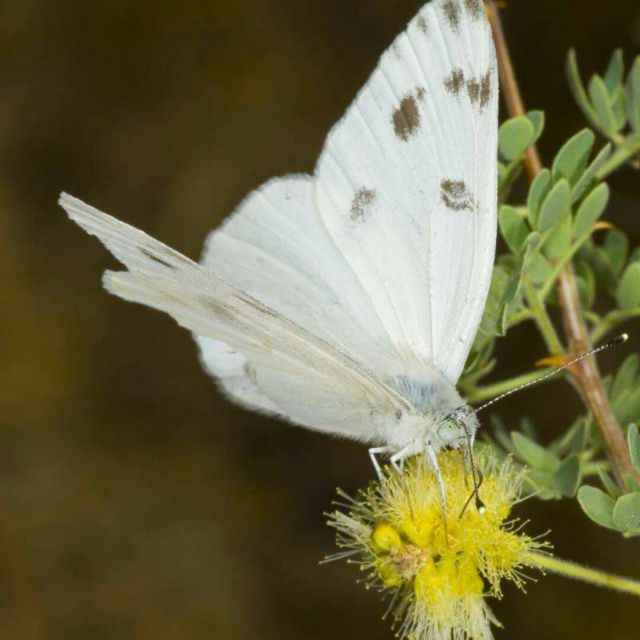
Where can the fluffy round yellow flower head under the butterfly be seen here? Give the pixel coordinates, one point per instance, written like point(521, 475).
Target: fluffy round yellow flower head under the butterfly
point(441, 566)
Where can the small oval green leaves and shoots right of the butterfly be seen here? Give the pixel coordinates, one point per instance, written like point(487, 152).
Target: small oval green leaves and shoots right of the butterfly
point(560, 222)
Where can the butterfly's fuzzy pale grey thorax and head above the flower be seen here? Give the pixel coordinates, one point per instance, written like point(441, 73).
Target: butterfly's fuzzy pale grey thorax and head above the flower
point(439, 417)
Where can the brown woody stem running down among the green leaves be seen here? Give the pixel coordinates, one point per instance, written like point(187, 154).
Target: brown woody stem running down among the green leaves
point(585, 372)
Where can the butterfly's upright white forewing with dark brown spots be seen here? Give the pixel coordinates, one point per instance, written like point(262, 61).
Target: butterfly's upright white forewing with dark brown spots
point(406, 183)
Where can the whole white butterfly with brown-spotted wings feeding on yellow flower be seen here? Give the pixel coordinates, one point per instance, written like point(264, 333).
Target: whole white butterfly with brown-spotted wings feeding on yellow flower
point(348, 301)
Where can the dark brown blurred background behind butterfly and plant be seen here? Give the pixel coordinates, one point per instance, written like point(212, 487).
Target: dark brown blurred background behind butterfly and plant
point(134, 501)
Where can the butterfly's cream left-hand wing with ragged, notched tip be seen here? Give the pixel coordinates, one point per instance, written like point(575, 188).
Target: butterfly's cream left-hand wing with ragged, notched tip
point(292, 372)
